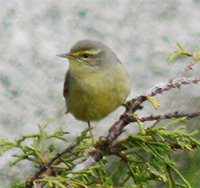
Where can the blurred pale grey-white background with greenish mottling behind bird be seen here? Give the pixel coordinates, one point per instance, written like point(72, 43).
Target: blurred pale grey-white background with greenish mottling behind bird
point(143, 34)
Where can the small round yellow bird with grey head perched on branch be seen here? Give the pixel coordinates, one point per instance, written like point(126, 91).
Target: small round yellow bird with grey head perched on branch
point(96, 82)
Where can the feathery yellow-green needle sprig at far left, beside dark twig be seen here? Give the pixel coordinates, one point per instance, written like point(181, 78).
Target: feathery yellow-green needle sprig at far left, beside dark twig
point(38, 151)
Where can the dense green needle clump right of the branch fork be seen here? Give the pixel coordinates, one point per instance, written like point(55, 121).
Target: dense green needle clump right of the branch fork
point(152, 159)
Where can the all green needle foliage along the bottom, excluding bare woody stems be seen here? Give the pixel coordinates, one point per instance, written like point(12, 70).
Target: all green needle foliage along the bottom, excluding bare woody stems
point(146, 158)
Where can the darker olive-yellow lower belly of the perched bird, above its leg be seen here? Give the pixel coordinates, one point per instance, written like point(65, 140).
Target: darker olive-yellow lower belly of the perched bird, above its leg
point(88, 106)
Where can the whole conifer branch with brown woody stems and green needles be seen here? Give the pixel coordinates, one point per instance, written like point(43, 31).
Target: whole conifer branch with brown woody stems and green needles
point(74, 168)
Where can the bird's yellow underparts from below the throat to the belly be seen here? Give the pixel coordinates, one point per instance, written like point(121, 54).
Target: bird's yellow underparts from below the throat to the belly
point(93, 95)
